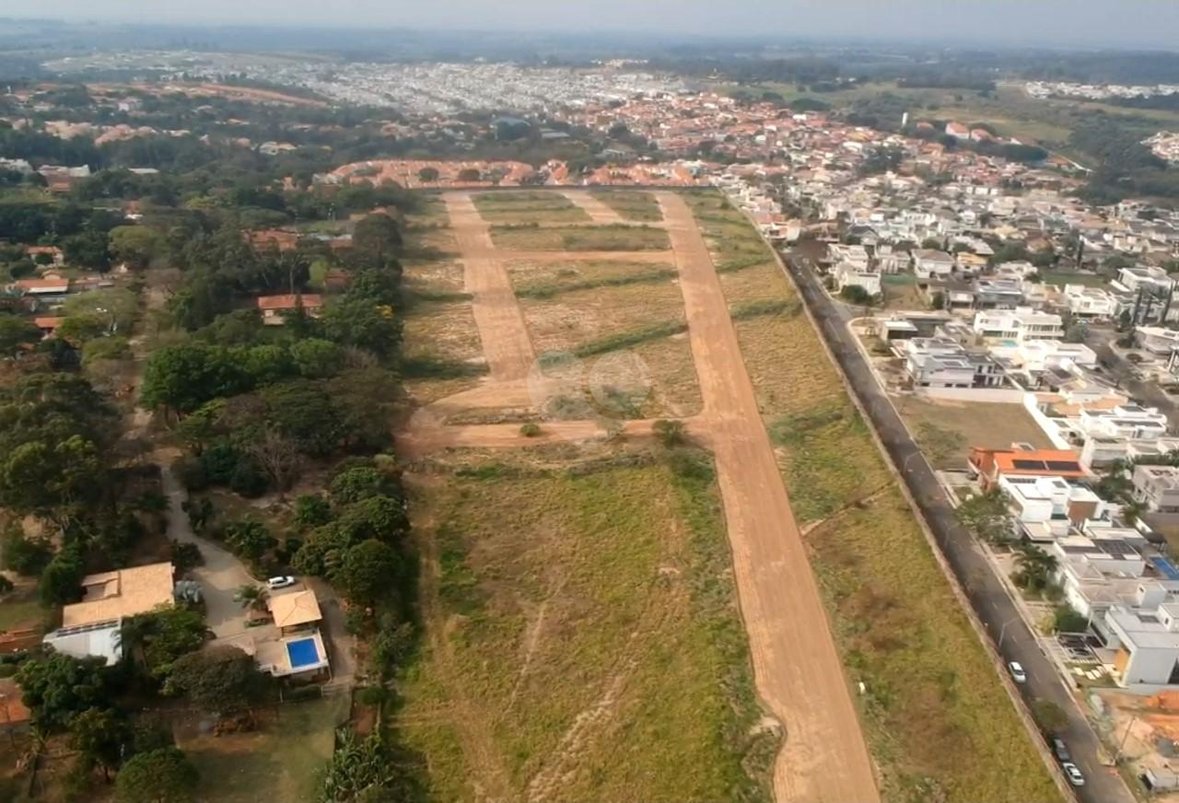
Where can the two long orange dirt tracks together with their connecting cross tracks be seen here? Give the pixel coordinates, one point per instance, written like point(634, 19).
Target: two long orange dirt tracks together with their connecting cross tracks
point(798, 670)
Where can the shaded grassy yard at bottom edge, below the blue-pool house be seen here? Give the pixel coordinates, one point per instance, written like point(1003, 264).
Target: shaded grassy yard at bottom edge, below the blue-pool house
point(284, 758)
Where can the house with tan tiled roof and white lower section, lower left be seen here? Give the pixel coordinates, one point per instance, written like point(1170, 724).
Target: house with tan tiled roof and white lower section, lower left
point(94, 627)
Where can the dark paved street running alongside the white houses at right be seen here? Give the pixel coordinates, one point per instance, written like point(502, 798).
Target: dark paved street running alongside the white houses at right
point(985, 591)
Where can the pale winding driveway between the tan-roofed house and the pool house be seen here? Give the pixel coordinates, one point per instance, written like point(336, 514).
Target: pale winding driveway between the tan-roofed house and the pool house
point(221, 575)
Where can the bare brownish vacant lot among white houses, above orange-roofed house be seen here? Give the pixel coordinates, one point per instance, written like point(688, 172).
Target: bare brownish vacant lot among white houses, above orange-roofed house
point(947, 430)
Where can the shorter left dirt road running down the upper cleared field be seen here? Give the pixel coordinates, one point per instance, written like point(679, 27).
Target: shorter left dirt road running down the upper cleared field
point(495, 305)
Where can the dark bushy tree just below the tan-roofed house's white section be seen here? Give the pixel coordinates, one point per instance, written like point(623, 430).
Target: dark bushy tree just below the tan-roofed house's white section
point(58, 687)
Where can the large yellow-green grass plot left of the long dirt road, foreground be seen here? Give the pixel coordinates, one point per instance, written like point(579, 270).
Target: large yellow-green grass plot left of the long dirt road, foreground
point(583, 637)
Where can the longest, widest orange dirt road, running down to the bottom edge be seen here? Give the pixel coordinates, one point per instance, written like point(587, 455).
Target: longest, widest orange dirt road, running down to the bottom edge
point(796, 667)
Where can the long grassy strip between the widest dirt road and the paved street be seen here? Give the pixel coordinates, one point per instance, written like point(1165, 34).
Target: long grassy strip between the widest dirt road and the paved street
point(938, 721)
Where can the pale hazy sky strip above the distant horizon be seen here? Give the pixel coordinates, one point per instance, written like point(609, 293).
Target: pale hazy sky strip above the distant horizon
point(1050, 23)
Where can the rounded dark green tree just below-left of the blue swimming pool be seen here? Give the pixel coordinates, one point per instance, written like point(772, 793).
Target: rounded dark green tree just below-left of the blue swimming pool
point(220, 680)
